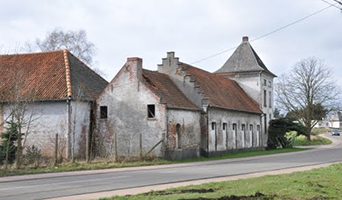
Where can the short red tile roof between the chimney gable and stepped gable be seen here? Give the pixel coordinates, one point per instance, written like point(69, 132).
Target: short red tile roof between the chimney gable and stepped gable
point(163, 86)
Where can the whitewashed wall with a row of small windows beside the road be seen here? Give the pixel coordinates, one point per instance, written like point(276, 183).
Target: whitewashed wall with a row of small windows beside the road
point(222, 139)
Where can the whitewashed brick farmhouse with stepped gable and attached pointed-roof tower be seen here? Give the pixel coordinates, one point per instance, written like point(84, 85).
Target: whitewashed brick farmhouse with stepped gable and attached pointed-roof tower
point(181, 111)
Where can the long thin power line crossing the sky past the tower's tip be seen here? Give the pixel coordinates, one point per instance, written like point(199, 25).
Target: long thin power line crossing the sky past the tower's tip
point(265, 35)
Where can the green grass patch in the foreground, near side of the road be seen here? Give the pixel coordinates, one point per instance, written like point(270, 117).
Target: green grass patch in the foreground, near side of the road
point(322, 183)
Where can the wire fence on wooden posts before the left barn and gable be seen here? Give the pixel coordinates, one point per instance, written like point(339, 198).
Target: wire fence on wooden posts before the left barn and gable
point(52, 150)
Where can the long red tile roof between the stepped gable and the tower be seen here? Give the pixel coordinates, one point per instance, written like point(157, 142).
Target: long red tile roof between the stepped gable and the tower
point(222, 92)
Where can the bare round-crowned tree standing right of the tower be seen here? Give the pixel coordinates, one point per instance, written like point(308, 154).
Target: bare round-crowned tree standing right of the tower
point(308, 92)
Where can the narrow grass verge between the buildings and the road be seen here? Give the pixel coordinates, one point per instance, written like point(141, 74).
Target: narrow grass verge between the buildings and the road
point(107, 165)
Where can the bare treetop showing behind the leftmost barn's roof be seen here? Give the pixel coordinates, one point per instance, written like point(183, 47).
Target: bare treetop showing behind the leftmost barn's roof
point(75, 41)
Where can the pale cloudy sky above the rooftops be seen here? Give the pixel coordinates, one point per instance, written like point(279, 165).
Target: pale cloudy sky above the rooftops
point(194, 29)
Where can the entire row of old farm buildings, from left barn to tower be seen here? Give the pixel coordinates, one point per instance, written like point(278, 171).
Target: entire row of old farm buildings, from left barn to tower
point(179, 111)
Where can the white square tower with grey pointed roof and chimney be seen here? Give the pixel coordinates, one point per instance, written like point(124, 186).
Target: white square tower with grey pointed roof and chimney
point(246, 67)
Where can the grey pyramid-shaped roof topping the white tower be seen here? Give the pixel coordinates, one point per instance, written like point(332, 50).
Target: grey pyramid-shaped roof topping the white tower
point(244, 59)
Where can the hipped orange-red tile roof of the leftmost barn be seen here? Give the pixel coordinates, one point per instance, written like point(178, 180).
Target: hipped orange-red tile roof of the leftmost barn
point(52, 75)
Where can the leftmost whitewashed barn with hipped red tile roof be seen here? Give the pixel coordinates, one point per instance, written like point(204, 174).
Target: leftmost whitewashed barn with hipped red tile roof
point(60, 92)
